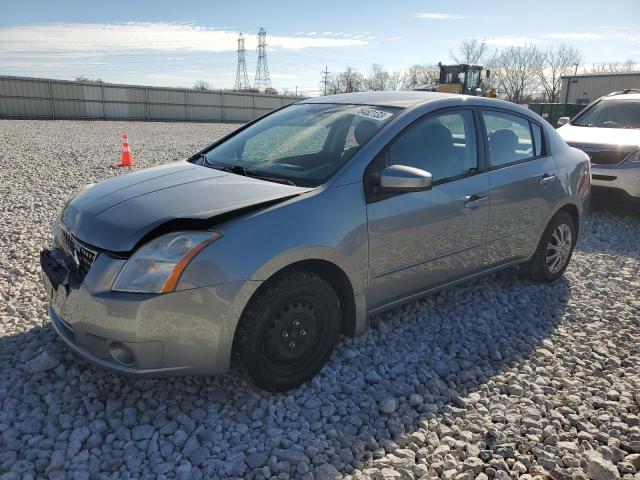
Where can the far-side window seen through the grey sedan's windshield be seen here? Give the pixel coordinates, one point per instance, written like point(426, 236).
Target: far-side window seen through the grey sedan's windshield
point(285, 141)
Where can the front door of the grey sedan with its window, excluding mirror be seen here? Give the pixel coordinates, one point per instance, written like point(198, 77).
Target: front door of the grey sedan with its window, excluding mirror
point(423, 239)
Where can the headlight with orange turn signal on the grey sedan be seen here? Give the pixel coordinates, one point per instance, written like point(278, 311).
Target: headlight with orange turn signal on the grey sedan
point(157, 266)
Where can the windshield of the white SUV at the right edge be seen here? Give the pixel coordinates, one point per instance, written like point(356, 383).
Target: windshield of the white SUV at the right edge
point(611, 114)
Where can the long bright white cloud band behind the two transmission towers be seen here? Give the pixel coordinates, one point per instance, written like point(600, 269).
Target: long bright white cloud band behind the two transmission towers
point(141, 37)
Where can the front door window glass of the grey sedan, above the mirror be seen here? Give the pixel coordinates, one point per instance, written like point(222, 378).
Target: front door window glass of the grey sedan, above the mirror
point(442, 144)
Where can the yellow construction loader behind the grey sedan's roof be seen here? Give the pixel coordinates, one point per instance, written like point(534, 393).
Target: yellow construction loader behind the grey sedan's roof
point(461, 79)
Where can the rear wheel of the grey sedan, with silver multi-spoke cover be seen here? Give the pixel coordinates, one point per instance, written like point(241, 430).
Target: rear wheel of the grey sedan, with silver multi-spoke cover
point(538, 268)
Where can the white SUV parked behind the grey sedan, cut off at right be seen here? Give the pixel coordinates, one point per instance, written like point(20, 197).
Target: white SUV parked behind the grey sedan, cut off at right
point(608, 131)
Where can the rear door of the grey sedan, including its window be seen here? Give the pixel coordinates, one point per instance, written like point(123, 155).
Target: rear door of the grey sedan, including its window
point(523, 179)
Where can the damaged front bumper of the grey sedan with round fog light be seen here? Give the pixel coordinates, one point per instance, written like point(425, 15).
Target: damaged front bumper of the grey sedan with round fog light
point(184, 332)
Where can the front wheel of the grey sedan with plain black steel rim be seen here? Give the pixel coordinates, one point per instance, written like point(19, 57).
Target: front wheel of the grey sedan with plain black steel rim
point(288, 330)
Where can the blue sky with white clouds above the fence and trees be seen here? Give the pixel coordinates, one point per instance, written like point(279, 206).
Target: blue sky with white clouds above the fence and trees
point(175, 43)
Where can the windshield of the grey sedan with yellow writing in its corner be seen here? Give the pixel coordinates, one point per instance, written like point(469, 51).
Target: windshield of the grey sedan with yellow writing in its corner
point(303, 145)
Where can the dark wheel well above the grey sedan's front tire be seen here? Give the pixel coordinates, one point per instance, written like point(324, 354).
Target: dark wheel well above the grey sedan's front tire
point(338, 280)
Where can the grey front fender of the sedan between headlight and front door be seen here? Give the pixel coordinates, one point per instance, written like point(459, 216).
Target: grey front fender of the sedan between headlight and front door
point(326, 224)
